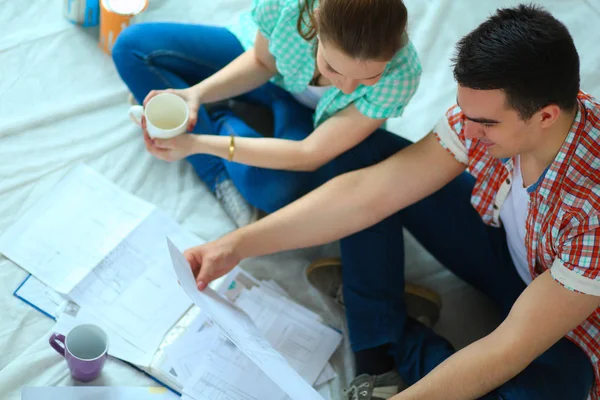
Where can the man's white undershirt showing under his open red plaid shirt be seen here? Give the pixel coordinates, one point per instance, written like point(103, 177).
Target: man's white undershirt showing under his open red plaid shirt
point(513, 214)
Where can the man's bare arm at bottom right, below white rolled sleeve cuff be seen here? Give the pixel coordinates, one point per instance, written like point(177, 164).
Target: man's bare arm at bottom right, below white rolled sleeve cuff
point(544, 313)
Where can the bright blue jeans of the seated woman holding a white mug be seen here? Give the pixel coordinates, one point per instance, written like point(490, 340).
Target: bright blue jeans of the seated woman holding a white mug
point(168, 55)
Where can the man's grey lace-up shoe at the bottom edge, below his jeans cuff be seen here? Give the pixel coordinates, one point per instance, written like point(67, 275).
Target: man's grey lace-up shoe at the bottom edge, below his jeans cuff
point(374, 387)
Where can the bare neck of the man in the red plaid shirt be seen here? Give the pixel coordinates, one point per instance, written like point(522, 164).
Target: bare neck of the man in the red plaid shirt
point(534, 163)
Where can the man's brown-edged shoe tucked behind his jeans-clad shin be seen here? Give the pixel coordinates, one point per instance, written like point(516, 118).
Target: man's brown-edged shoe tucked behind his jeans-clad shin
point(422, 304)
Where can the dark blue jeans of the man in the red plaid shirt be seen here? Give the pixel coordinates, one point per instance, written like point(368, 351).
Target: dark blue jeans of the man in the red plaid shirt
point(448, 226)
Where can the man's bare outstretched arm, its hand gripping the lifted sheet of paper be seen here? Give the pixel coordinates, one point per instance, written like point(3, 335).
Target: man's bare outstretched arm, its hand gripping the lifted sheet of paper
point(342, 206)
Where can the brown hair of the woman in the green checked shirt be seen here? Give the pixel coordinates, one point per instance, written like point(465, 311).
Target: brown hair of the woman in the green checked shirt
point(363, 29)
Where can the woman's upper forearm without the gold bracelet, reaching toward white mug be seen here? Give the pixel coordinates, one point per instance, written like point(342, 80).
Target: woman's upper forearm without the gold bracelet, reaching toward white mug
point(250, 70)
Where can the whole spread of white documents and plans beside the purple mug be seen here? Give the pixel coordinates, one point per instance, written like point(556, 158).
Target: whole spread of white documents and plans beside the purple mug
point(101, 256)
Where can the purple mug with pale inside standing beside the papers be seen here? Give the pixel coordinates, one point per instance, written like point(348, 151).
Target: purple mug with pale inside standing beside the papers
point(85, 348)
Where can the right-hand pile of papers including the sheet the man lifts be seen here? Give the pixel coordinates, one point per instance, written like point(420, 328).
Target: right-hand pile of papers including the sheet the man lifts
point(257, 345)
